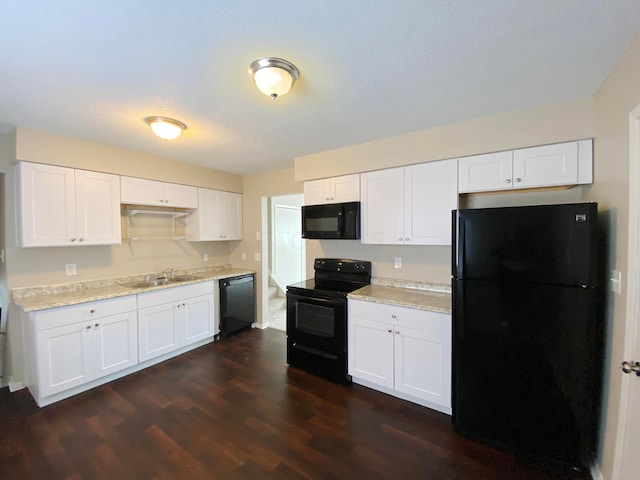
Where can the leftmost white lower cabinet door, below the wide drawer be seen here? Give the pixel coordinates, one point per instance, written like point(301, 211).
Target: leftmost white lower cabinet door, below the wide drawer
point(63, 357)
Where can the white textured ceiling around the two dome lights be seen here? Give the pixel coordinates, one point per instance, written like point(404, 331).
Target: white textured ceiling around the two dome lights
point(369, 69)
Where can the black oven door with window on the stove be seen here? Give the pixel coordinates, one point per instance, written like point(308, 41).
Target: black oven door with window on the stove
point(316, 322)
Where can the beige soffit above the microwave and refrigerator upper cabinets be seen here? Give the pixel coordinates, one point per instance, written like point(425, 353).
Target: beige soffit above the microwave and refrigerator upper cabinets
point(524, 128)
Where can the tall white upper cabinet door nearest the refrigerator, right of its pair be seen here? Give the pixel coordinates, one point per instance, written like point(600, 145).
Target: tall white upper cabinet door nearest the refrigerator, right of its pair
point(431, 193)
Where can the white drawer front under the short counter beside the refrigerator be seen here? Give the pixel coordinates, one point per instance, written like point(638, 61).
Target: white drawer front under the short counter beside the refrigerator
point(422, 320)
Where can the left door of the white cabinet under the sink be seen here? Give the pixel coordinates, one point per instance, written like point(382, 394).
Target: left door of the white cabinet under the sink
point(157, 331)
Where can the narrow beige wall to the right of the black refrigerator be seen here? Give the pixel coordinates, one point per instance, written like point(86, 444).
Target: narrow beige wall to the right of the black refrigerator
point(614, 101)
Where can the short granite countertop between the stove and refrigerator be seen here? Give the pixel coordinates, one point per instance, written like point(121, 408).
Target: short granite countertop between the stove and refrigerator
point(434, 297)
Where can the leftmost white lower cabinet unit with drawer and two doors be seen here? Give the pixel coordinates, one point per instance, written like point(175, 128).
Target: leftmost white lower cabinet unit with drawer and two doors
point(77, 344)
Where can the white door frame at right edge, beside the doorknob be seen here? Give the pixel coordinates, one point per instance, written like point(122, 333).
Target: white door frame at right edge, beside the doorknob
point(633, 278)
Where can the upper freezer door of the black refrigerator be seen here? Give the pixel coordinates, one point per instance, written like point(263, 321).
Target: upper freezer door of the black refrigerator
point(549, 244)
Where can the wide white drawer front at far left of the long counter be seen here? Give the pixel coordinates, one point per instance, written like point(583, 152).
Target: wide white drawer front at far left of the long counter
point(57, 317)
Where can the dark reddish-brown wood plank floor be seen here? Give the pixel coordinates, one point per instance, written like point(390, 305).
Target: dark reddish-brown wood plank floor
point(233, 410)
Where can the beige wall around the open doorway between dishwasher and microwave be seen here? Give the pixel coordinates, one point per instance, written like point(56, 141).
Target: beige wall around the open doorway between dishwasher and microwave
point(257, 188)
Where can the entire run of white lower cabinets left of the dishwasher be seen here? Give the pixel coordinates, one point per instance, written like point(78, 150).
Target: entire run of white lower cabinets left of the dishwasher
point(72, 349)
